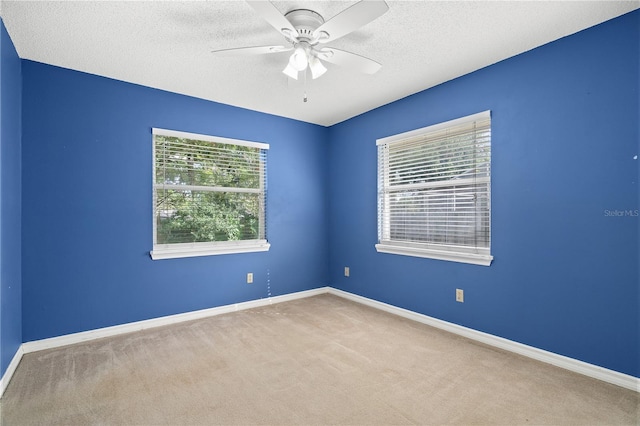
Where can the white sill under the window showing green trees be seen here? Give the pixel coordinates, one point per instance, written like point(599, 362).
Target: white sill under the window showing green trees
point(176, 251)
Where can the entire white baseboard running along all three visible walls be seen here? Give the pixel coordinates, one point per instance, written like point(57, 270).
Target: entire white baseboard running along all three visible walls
point(590, 370)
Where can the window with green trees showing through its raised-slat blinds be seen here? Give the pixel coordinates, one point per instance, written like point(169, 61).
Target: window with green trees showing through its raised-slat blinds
point(209, 195)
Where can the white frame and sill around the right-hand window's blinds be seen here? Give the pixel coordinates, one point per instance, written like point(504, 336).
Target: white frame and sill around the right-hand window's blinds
point(448, 252)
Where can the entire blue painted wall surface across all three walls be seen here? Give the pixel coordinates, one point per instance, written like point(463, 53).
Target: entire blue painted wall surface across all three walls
point(565, 274)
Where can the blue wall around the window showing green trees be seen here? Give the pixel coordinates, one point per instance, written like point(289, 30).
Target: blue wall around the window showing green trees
point(87, 205)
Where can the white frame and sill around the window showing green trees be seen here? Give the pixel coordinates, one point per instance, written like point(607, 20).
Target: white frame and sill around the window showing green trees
point(181, 250)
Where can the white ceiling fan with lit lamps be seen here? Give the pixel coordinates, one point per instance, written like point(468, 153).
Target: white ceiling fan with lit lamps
point(306, 31)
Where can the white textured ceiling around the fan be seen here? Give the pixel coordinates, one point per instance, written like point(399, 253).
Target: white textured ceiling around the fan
point(167, 44)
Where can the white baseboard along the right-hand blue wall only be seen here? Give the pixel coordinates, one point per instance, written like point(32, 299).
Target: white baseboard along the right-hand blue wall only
point(571, 364)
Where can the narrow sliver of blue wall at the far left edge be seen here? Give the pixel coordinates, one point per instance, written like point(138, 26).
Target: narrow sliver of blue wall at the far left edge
point(10, 218)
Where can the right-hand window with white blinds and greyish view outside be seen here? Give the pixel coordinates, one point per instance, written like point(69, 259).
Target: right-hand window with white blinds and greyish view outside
point(434, 191)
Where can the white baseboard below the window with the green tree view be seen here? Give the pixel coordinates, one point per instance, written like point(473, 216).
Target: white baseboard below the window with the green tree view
point(70, 339)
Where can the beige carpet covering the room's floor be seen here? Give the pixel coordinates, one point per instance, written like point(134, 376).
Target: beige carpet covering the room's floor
point(320, 360)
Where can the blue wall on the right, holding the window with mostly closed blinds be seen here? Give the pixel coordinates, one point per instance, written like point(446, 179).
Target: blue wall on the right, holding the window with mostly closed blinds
point(564, 134)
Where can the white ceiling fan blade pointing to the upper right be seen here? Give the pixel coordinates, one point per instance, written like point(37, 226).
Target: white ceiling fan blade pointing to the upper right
point(350, 20)
